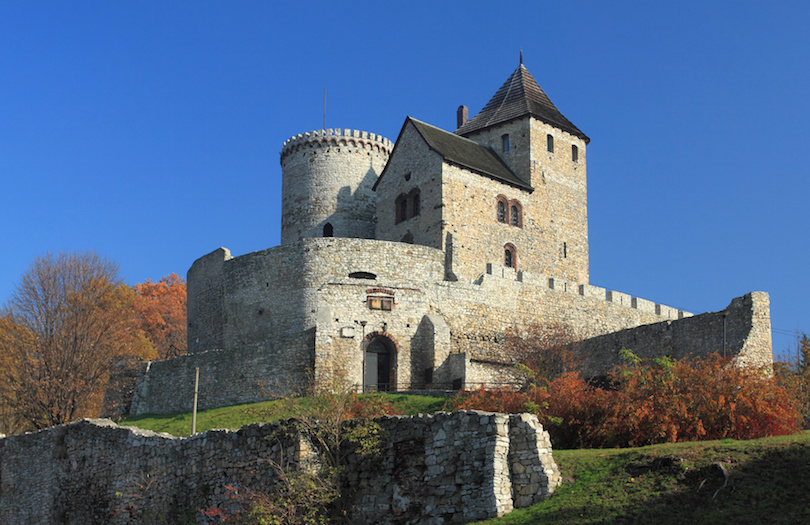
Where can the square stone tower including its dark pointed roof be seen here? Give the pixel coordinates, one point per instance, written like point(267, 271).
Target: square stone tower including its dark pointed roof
point(546, 151)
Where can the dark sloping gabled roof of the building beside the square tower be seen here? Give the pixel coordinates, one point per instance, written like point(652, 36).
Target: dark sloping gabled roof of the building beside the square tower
point(463, 152)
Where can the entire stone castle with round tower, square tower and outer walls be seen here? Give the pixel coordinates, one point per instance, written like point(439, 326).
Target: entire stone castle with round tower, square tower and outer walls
point(402, 265)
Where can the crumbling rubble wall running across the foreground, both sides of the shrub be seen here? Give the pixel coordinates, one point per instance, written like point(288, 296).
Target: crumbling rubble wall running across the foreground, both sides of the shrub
point(448, 467)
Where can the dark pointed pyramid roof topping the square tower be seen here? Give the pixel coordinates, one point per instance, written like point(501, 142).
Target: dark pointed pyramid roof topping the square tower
point(519, 96)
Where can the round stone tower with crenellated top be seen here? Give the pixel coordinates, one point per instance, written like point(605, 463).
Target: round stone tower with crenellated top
point(327, 176)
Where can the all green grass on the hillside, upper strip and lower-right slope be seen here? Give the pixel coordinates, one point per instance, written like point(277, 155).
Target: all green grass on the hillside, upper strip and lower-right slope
point(758, 481)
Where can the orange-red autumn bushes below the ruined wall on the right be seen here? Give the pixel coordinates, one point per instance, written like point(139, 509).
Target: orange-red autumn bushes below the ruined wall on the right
point(653, 402)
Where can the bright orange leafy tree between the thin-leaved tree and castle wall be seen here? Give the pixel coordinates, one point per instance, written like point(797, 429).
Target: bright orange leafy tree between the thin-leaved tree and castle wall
point(161, 311)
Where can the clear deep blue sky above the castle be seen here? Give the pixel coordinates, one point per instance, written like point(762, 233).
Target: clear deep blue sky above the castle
point(150, 131)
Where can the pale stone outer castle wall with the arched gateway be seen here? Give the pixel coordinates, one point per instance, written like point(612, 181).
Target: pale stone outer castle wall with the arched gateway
point(297, 310)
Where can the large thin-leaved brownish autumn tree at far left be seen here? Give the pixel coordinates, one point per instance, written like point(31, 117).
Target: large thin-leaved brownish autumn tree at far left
point(70, 315)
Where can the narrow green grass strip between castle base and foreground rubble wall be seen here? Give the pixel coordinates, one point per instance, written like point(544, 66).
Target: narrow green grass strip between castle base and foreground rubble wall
point(179, 424)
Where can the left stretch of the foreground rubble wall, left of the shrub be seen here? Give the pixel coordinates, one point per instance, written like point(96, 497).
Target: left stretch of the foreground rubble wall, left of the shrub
point(94, 472)
